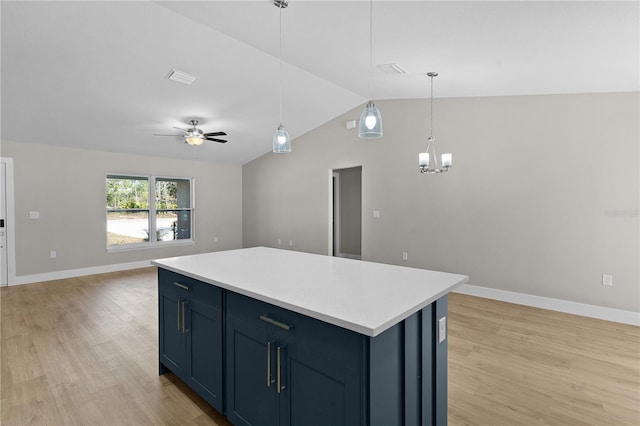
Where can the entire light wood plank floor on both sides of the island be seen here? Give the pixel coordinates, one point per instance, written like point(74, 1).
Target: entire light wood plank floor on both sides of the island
point(84, 351)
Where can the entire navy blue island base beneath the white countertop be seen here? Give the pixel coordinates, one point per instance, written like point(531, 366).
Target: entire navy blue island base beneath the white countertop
point(263, 365)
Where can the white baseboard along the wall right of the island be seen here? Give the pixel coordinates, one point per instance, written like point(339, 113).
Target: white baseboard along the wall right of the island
point(592, 311)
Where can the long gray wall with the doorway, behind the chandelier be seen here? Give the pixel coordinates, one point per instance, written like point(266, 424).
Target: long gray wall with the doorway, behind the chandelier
point(542, 198)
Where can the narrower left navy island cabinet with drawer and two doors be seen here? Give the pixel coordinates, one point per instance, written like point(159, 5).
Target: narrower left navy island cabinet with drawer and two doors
point(190, 334)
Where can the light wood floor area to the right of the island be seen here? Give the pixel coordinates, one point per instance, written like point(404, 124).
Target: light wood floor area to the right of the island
point(516, 365)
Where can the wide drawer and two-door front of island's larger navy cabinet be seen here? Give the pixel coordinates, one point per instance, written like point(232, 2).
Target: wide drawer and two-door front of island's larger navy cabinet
point(316, 368)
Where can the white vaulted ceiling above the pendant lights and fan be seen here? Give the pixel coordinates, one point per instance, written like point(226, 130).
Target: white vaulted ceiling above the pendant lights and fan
point(92, 74)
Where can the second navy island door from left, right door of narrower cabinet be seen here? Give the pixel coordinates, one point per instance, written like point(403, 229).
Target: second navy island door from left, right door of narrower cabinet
point(204, 351)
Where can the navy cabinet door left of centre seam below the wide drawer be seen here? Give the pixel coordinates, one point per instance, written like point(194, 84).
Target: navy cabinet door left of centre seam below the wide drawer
point(250, 392)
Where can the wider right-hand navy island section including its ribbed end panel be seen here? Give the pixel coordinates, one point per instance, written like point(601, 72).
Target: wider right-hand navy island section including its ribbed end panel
point(285, 368)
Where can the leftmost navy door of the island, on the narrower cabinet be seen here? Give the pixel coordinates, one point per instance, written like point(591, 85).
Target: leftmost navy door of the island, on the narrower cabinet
point(172, 339)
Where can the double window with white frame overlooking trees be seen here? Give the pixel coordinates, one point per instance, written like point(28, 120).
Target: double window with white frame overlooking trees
point(133, 221)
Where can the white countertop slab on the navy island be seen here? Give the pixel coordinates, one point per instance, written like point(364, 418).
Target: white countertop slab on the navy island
point(364, 297)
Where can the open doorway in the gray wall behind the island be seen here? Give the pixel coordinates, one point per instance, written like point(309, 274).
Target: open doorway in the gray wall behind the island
point(346, 212)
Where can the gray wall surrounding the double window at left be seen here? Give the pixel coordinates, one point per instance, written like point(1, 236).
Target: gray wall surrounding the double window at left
point(67, 187)
